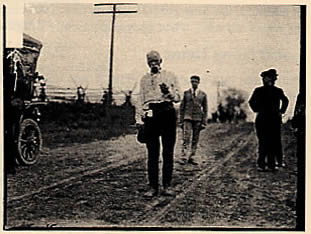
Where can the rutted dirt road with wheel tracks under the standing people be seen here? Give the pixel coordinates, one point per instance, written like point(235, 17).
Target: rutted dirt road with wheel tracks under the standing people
point(101, 184)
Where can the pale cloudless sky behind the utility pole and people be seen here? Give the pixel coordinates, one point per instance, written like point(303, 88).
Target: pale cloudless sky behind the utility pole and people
point(230, 44)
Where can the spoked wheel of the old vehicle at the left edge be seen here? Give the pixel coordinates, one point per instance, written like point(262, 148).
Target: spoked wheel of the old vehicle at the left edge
point(29, 142)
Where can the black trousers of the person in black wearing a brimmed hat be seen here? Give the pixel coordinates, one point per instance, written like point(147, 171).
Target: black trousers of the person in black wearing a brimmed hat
point(268, 129)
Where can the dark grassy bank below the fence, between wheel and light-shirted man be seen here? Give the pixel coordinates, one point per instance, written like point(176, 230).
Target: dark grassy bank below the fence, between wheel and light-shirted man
point(64, 123)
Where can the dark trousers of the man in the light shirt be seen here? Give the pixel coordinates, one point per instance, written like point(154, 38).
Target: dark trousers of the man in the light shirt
point(161, 124)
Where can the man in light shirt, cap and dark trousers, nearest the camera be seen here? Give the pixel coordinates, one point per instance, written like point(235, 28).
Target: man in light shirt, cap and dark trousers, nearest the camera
point(158, 92)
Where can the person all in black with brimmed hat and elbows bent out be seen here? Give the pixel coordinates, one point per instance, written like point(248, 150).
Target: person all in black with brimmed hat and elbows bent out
point(265, 101)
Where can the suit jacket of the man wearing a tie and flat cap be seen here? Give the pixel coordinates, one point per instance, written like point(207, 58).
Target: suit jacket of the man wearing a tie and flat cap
point(193, 108)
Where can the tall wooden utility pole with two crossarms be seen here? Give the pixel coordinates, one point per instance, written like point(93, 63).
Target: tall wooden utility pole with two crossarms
point(114, 11)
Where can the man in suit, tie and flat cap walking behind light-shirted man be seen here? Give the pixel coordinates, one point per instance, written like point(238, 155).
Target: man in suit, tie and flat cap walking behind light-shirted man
point(193, 114)
